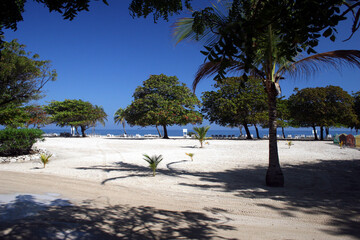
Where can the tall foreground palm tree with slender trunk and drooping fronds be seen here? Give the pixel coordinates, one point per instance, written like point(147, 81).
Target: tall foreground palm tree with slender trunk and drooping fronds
point(269, 64)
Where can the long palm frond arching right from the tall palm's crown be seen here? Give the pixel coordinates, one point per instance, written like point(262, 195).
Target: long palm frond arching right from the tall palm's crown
point(333, 59)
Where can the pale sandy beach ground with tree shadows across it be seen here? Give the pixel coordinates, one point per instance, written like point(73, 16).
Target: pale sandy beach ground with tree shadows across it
point(101, 188)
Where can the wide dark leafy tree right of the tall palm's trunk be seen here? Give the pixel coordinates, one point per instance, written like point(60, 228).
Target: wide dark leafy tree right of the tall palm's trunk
point(322, 106)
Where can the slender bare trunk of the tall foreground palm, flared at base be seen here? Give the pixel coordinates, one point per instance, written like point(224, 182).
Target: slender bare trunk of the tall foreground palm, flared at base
point(274, 175)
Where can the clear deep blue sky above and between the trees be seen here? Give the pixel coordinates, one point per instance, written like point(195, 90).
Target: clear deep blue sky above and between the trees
point(104, 54)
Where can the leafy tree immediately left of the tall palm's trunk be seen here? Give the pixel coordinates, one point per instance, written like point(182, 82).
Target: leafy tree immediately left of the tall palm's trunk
point(236, 102)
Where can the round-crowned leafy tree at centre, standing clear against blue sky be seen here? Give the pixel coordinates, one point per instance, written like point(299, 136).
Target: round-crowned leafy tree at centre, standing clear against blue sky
point(163, 101)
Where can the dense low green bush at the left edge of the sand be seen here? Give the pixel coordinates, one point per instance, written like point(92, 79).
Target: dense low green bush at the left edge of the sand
point(14, 142)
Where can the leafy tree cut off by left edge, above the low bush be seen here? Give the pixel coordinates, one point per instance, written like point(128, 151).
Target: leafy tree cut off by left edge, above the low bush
point(22, 75)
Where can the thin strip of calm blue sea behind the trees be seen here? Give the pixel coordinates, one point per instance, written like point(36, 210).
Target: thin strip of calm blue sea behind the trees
point(178, 132)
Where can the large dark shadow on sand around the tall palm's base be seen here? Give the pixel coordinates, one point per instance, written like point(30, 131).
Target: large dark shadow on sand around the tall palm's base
point(324, 187)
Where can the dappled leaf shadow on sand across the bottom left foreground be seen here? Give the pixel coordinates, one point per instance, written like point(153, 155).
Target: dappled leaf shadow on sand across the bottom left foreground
point(85, 221)
